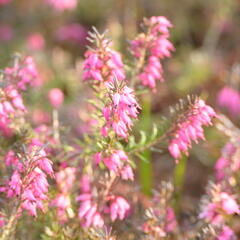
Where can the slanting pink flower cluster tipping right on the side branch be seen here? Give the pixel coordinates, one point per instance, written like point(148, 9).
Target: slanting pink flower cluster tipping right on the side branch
point(190, 128)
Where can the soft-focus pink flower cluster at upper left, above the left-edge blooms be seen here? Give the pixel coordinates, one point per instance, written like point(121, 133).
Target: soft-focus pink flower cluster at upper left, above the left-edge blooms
point(23, 73)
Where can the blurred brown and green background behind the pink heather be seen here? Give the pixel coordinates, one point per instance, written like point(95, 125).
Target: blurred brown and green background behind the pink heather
point(207, 57)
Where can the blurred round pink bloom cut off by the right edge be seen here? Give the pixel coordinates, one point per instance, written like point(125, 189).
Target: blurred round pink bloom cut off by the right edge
point(229, 98)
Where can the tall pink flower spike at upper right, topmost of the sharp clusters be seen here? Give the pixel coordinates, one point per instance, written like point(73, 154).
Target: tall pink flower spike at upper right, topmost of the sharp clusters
point(152, 47)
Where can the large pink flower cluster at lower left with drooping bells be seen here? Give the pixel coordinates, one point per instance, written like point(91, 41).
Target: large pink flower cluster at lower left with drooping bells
point(28, 181)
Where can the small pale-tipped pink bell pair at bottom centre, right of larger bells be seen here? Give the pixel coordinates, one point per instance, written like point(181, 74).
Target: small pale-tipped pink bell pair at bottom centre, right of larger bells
point(119, 208)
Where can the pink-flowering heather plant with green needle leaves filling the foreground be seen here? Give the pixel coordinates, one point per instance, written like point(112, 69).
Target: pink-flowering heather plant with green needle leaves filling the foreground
point(86, 186)
